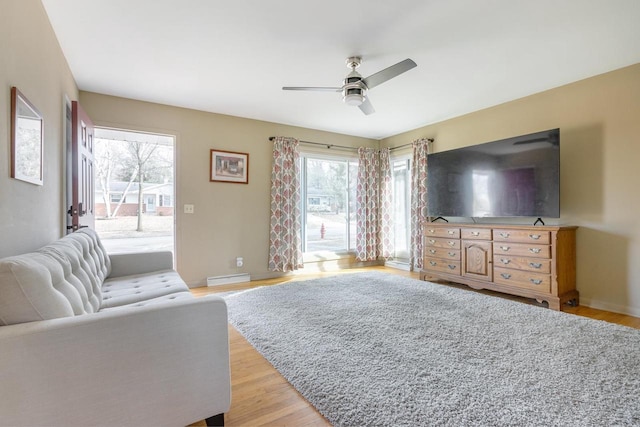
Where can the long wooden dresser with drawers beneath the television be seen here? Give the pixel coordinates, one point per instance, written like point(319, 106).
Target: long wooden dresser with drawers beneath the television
point(530, 261)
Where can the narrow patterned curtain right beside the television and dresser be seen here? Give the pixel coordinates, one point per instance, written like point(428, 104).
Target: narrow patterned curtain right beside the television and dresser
point(418, 200)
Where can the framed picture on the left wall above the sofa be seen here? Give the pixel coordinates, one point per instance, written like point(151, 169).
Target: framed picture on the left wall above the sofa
point(27, 135)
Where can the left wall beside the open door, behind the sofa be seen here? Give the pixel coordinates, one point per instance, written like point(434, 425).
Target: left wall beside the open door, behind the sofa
point(31, 60)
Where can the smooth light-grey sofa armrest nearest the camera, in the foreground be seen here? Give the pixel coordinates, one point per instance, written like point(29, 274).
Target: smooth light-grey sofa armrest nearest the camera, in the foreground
point(166, 364)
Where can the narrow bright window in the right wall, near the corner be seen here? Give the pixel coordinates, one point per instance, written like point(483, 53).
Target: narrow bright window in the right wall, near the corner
point(401, 169)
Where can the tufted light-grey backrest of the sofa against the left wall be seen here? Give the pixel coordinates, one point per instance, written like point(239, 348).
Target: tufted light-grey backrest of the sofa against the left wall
point(61, 279)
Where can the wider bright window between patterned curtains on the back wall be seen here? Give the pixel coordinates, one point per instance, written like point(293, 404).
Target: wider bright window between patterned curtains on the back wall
point(328, 203)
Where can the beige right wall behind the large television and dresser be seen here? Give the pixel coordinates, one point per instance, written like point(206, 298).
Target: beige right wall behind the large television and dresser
point(599, 121)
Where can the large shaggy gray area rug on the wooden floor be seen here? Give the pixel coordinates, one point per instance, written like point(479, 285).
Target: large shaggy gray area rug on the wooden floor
point(379, 349)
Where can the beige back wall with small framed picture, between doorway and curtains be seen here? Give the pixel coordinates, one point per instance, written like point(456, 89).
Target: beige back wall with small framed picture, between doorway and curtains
point(230, 219)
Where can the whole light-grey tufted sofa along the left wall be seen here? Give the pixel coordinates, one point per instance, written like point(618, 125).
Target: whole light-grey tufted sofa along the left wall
point(88, 338)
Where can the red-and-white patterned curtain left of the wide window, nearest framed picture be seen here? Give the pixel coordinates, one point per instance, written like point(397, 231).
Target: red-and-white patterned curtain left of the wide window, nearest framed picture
point(285, 247)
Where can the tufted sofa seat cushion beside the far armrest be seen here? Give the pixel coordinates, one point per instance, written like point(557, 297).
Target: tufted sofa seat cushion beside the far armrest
point(127, 290)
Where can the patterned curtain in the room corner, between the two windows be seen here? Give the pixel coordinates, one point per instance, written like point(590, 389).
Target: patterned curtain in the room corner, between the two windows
point(373, 205)
